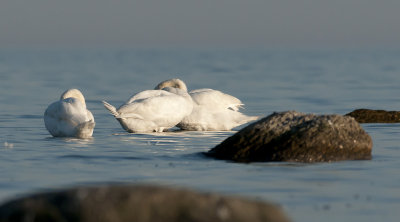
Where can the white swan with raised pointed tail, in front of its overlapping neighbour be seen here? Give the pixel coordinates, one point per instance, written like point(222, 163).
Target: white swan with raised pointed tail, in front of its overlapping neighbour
point(152, 110)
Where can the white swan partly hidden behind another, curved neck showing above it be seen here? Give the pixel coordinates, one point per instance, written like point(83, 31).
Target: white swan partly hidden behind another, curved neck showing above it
point(212, 109)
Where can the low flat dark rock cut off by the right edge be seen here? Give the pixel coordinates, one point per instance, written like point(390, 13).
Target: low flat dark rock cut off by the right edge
point(375, 116)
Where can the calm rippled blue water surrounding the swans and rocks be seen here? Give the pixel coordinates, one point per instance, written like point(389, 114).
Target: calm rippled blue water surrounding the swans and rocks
point(265, 80)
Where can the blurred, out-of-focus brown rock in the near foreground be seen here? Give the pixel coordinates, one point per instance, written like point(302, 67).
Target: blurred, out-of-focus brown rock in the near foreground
point(138, 203)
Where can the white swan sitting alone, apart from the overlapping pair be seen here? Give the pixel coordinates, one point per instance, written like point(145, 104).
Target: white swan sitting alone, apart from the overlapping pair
point(69, 117)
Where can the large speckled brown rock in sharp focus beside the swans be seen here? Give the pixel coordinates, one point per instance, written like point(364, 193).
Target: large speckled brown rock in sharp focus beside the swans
point(297, 137)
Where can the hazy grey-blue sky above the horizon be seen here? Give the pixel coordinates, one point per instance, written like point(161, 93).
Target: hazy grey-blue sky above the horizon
point(201, 23)
